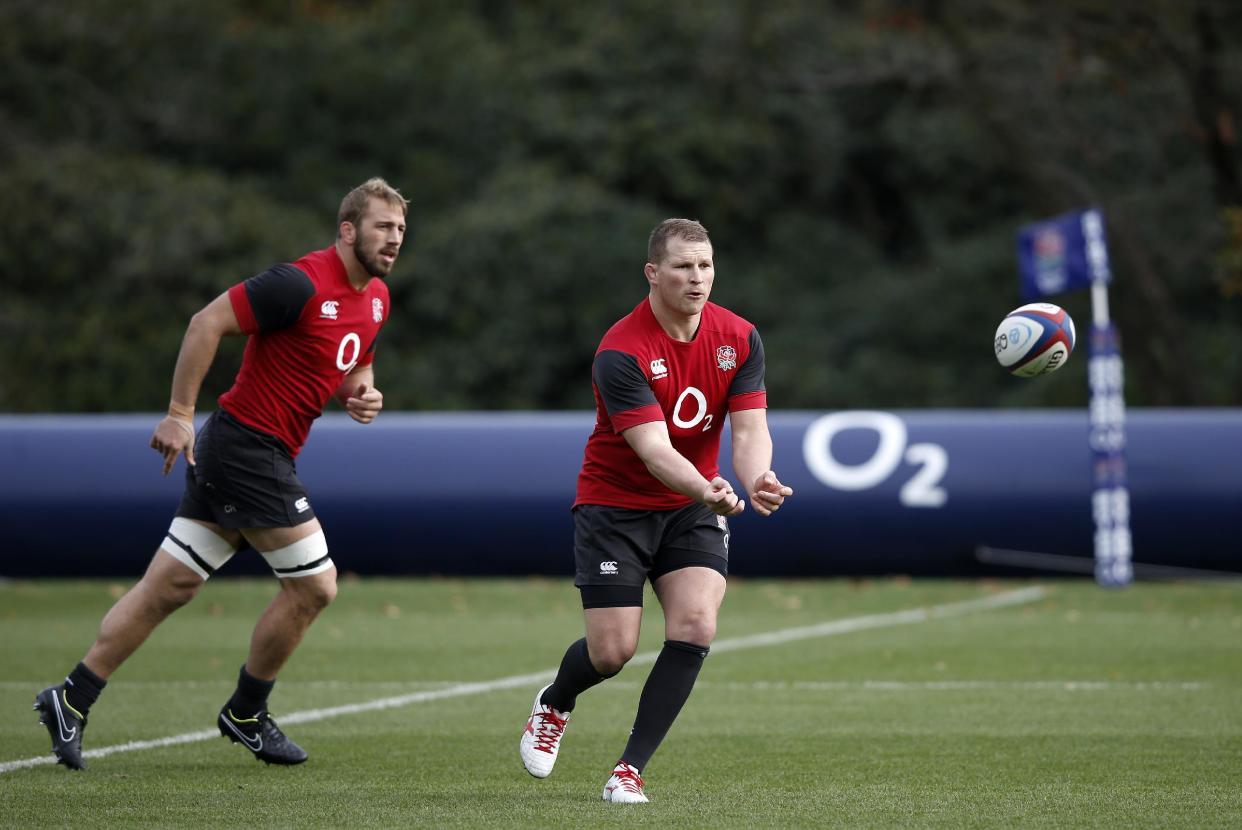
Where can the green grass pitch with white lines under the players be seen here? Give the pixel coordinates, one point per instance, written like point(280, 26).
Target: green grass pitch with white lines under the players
point(1071, 706)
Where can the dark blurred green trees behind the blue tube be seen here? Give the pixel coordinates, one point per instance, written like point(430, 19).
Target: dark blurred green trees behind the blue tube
point(863, 167)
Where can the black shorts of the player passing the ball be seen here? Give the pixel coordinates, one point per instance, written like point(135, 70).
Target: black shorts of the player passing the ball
point(618, 550)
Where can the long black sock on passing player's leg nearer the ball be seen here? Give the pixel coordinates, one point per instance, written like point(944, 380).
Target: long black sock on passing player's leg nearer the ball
point(668, 689)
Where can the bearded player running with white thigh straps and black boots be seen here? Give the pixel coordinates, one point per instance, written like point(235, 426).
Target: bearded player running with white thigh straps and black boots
point(312, 329)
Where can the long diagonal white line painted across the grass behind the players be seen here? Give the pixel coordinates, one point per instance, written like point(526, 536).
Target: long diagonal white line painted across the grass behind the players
point(1022, 597)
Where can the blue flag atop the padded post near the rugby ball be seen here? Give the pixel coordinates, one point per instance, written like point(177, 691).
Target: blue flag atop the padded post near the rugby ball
point(1063, 254)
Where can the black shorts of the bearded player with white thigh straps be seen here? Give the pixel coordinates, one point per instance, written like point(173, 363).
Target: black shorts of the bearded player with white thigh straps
point(243, 479)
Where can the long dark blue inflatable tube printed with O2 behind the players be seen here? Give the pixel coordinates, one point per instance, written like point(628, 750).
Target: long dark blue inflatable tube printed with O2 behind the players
point(489, 494)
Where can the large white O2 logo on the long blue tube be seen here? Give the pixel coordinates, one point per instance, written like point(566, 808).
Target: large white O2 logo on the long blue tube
point(923, 489)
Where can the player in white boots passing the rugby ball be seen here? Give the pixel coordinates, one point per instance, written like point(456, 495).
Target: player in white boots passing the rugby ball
point(651, 503)
